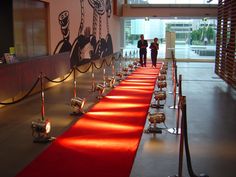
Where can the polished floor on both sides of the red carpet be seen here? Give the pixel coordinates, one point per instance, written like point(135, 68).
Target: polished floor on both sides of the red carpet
point(211, 113)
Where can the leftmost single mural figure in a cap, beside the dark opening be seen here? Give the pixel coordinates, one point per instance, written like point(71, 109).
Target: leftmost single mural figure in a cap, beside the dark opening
point(64, 44)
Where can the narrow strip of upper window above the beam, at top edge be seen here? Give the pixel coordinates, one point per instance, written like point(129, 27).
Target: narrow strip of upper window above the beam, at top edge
point(173, 2)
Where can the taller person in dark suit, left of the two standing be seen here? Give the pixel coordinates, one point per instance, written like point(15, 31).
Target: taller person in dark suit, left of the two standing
point(142, 45)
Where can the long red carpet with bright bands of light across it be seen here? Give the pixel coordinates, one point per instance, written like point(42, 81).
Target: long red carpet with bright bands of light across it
point(103, 143)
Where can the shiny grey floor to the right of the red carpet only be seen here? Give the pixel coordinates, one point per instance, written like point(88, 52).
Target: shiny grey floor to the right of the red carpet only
point(211, 113)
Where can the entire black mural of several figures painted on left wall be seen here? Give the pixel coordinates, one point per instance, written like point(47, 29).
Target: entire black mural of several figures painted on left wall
point(86, 46)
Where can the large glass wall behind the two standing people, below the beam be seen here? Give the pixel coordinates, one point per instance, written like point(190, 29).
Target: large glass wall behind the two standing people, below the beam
point(194, 38)
